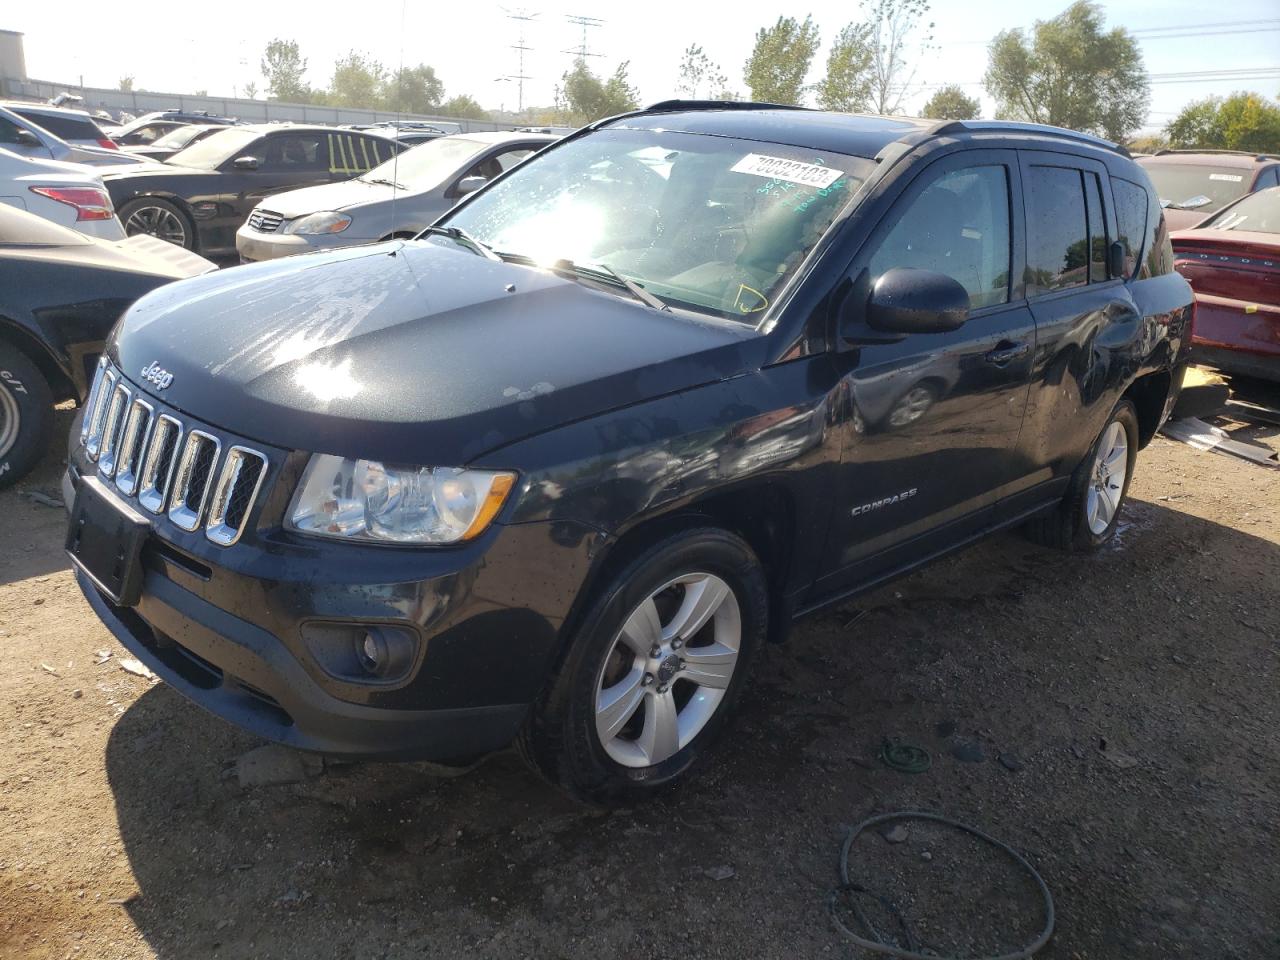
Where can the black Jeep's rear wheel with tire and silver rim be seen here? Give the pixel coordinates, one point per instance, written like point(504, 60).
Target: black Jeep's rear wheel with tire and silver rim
point(1090, 511)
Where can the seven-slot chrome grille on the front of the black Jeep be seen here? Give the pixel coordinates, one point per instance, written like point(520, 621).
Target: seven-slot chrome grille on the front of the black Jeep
point(172, 468)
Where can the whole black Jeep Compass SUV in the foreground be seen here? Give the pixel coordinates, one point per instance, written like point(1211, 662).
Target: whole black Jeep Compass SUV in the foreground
point(554, 472)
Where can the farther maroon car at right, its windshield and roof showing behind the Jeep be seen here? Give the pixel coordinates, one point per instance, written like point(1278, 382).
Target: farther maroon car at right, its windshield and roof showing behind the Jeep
point(1195, 184)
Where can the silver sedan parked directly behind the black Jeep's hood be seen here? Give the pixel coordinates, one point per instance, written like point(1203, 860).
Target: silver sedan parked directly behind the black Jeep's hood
point(397, 199)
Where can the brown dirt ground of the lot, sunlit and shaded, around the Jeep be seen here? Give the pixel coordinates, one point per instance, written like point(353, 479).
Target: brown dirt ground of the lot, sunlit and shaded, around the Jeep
point(1117, 716)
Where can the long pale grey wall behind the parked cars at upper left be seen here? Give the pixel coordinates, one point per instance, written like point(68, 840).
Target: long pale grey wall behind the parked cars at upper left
point(252, 111)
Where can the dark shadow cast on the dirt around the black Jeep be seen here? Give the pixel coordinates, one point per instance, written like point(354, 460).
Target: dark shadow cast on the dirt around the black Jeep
point(388, 861)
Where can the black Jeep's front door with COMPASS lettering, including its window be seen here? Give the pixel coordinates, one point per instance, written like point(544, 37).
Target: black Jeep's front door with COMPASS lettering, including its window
point(932, 426)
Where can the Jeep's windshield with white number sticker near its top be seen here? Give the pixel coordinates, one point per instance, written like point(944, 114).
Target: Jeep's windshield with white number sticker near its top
point(712, 225)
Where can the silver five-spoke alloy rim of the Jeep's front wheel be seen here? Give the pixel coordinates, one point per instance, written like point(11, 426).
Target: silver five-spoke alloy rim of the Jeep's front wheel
point(668, 670)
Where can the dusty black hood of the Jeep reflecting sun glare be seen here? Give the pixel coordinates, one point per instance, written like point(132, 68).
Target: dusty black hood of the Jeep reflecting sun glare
point(412, 353)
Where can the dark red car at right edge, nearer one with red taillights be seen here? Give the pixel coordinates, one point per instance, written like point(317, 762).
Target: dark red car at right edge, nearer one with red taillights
point(1233, 263)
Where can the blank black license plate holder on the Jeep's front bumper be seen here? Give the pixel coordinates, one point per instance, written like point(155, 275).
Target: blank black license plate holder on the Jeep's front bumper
point(104, 540)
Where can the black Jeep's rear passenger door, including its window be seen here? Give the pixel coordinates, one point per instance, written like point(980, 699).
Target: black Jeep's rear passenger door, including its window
point(1086, 321)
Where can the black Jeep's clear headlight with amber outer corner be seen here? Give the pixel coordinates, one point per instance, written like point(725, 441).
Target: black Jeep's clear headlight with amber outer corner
point(364, 500)
